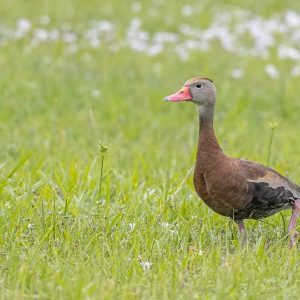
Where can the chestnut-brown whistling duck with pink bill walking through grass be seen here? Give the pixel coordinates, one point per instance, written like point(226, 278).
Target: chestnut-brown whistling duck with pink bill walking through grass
point(236, 188)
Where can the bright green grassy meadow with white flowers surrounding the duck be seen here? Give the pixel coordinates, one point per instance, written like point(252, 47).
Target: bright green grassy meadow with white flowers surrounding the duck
point(97, 199)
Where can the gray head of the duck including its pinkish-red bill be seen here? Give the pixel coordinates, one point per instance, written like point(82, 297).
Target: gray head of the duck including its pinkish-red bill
point(200, 91)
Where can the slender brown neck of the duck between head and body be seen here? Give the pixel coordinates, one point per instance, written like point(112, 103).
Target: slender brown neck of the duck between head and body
point(208, 146)
